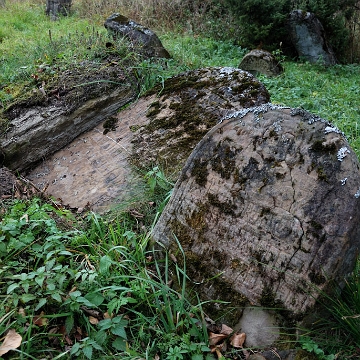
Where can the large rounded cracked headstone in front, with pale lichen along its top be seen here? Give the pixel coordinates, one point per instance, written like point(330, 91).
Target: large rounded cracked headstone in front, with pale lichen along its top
point(269, 203)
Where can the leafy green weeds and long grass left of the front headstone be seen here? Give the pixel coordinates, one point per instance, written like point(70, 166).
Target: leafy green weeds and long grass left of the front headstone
point(91, 287)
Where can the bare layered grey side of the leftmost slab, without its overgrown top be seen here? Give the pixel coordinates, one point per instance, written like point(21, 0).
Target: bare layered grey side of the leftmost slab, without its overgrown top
point(40, 129)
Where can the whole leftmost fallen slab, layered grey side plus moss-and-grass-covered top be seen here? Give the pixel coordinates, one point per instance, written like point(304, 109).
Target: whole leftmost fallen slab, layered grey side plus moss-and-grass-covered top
point(75, 102)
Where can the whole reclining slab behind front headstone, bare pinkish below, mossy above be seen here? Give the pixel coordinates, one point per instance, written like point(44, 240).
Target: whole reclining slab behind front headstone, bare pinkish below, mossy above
point(161, 128)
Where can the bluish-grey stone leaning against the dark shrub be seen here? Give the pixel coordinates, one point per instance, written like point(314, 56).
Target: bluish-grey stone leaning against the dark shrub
point(308, 36)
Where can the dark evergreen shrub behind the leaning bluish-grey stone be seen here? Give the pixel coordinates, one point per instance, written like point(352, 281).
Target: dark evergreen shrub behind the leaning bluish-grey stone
point(263, 22)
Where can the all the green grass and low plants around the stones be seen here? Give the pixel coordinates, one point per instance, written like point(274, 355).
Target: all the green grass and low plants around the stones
point(90, 287)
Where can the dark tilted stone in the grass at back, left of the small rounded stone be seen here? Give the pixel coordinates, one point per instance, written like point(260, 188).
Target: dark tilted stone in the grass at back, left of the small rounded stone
point(143, 40)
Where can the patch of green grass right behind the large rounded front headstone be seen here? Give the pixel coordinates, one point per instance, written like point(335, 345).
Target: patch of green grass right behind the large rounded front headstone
point(331, 93)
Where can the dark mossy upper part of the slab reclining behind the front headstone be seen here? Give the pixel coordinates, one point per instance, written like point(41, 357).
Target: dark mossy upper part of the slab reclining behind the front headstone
point(186, 108)
